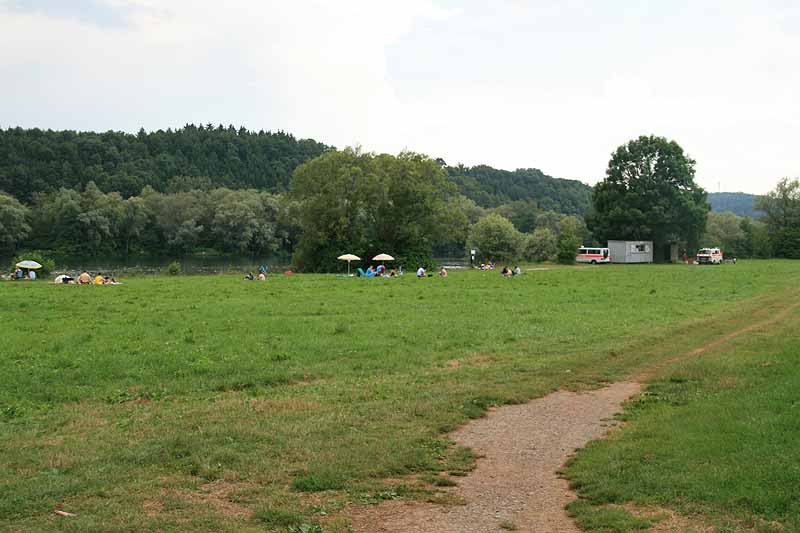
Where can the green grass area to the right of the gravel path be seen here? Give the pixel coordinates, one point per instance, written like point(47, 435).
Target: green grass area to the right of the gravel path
point(715, 438)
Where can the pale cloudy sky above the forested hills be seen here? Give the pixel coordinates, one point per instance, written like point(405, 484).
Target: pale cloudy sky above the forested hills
point(556, 85)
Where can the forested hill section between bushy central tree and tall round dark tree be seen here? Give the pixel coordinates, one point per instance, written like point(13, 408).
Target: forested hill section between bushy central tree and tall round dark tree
point(491, 187)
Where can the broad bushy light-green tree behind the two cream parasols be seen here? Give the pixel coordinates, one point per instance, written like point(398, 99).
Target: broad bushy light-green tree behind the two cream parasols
point(365, 204)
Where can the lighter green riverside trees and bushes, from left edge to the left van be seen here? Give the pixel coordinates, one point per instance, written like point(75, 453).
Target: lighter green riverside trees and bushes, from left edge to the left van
point(341, 201)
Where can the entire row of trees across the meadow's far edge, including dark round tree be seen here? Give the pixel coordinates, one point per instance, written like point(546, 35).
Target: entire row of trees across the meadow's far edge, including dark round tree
point(408, 205)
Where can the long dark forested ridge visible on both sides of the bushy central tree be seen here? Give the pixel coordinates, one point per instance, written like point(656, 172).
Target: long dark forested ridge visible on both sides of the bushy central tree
point(206, 157)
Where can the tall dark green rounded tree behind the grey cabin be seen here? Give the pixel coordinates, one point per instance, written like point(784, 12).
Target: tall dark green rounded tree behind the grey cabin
point(649, 193)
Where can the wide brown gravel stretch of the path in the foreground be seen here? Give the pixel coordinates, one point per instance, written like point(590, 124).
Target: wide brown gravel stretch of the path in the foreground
point(515, 483)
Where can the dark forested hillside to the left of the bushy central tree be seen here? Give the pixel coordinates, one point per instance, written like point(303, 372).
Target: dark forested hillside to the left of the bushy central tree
point(33, 160)
